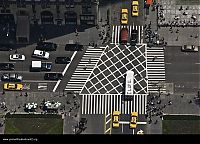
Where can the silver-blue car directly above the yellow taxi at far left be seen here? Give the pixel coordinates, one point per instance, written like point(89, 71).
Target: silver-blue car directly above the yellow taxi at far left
point(14, 77)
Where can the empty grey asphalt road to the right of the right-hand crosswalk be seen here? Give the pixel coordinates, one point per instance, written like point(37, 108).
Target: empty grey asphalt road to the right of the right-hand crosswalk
point(182, 69)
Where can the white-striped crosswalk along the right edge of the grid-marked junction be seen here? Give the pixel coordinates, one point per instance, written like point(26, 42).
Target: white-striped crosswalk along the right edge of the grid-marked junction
point(155, 68)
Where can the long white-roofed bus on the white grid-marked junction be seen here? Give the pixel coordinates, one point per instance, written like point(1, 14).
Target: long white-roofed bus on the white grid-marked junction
point(129, 87)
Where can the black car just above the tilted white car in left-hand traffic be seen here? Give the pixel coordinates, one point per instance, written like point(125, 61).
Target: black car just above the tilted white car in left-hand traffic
point(46, 46)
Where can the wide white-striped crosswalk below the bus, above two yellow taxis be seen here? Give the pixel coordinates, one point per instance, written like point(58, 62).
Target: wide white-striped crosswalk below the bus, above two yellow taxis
point(104, 104)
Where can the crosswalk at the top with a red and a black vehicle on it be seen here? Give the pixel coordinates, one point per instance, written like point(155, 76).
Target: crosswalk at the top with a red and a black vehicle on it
point(116, 33)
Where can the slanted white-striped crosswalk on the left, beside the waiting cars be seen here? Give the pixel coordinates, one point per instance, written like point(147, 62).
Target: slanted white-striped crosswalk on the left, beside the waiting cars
point(84, 68)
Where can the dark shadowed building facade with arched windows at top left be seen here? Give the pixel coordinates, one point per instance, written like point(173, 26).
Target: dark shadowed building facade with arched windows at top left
point(58, 12)
